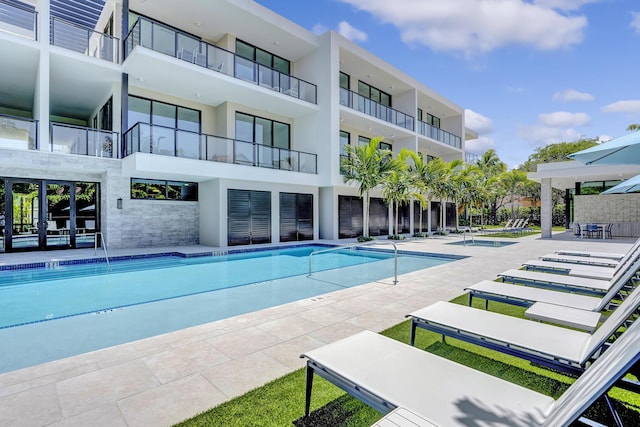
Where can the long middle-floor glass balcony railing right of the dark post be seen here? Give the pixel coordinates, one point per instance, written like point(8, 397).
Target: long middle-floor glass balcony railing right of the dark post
point(153, 139)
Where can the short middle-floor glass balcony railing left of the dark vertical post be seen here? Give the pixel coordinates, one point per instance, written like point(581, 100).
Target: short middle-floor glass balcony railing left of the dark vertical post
point(84, 141)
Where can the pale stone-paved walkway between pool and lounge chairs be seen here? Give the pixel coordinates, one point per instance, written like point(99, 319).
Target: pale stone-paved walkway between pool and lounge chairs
point(164, 379)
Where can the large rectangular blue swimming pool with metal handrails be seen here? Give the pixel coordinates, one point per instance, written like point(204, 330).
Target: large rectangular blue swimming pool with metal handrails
point(55, 312)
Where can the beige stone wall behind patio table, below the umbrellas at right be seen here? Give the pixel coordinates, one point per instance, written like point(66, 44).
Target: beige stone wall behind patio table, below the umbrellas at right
point(623, 210)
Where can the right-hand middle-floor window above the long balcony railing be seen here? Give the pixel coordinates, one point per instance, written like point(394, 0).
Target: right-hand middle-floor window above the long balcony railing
point(262, 131)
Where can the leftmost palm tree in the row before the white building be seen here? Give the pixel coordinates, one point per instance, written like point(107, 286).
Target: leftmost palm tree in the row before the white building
point(366, 165)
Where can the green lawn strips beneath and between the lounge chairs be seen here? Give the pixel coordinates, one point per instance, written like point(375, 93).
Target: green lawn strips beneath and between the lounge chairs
point(281, 402)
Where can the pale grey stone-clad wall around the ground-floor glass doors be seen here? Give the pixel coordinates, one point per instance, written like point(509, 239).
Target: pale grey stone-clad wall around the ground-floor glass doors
point(140, 223)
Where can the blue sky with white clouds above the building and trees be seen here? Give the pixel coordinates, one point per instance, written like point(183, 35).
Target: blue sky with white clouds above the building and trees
point(527, 72)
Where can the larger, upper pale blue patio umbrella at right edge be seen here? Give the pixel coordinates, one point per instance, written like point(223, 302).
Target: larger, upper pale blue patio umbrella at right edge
point(620, 151)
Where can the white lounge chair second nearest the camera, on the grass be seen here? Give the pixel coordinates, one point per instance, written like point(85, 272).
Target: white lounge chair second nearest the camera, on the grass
point(556, 347)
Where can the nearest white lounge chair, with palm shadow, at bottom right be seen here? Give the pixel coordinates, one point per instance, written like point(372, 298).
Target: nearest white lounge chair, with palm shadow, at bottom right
point(433, 391)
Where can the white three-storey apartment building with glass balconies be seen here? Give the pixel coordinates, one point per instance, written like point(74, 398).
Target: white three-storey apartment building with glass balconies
point(215, 122)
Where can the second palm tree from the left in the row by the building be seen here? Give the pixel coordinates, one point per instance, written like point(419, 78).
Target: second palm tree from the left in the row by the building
point(398, 186)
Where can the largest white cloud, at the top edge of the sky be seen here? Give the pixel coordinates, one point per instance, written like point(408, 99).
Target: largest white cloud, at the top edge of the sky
point(477, 26)
